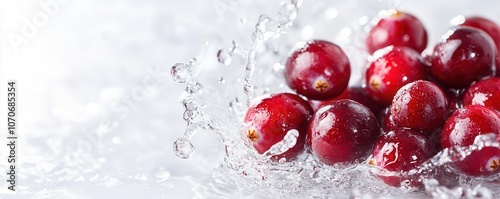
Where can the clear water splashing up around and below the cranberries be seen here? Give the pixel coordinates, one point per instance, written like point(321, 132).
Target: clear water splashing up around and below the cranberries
point(245, 173)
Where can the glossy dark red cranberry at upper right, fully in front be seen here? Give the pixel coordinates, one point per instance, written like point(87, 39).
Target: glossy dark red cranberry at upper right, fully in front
point(463, 56)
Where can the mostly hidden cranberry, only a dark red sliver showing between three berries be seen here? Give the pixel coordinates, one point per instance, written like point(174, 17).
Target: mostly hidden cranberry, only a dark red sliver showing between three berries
point(358, 94)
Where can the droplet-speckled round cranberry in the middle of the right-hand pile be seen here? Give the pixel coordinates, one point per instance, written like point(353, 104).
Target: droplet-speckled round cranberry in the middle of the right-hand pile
point(420, 105)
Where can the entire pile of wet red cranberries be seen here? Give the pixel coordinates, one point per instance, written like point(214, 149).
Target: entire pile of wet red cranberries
point(411, 106)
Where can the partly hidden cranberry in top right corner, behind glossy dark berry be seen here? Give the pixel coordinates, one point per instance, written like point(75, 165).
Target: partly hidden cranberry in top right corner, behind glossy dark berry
point(491, 28)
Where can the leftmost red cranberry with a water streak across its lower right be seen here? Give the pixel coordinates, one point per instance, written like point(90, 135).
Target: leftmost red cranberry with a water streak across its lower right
point(269, 120)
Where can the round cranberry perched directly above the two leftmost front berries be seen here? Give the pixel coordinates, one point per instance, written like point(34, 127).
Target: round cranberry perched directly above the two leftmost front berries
point(319, 70)
